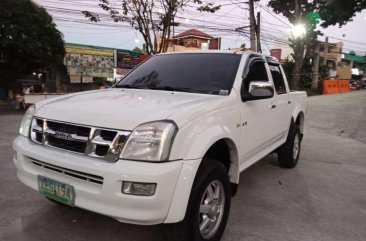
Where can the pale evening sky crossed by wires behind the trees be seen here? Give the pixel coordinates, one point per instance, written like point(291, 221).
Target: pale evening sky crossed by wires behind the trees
point(233, 14)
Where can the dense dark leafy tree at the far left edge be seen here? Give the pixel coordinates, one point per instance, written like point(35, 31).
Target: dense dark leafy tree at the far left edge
point(29, 40)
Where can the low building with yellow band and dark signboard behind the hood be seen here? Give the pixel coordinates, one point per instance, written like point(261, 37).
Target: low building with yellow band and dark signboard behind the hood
point(90, 67)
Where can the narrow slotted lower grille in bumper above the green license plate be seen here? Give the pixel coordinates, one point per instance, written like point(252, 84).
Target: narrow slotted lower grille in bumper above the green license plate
point(67, 172)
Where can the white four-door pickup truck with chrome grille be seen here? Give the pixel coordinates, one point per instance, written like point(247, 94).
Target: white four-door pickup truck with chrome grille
point(167, 143)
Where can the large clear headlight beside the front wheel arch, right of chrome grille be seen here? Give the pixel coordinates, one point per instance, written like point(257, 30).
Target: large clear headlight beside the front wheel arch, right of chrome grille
point(150, 142)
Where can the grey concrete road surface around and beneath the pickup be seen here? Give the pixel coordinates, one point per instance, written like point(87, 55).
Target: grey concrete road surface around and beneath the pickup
point(323, 199)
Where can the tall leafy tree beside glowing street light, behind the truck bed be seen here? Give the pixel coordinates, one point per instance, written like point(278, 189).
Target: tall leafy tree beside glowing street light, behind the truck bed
point(309, 13)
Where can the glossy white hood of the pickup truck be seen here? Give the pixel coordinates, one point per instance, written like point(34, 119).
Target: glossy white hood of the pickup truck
point(127, 108)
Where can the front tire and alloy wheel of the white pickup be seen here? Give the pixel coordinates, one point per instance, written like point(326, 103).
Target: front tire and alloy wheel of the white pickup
point(211, 176)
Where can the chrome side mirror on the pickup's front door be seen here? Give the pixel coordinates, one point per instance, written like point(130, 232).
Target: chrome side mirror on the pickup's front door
point(259, 90)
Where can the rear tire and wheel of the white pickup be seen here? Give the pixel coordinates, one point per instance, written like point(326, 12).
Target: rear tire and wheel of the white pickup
point(289, 152)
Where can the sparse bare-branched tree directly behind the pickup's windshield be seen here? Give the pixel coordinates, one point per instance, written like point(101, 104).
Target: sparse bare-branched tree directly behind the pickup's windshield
point(152, 18)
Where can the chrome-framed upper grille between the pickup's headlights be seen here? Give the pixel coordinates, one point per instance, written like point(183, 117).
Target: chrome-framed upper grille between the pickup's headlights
point(90, 141)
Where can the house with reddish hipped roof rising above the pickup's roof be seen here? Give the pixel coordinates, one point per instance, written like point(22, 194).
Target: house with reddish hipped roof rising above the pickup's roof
point(192, 40)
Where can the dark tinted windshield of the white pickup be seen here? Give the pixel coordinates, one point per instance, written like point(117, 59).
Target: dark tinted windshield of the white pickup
point(189, 72)
